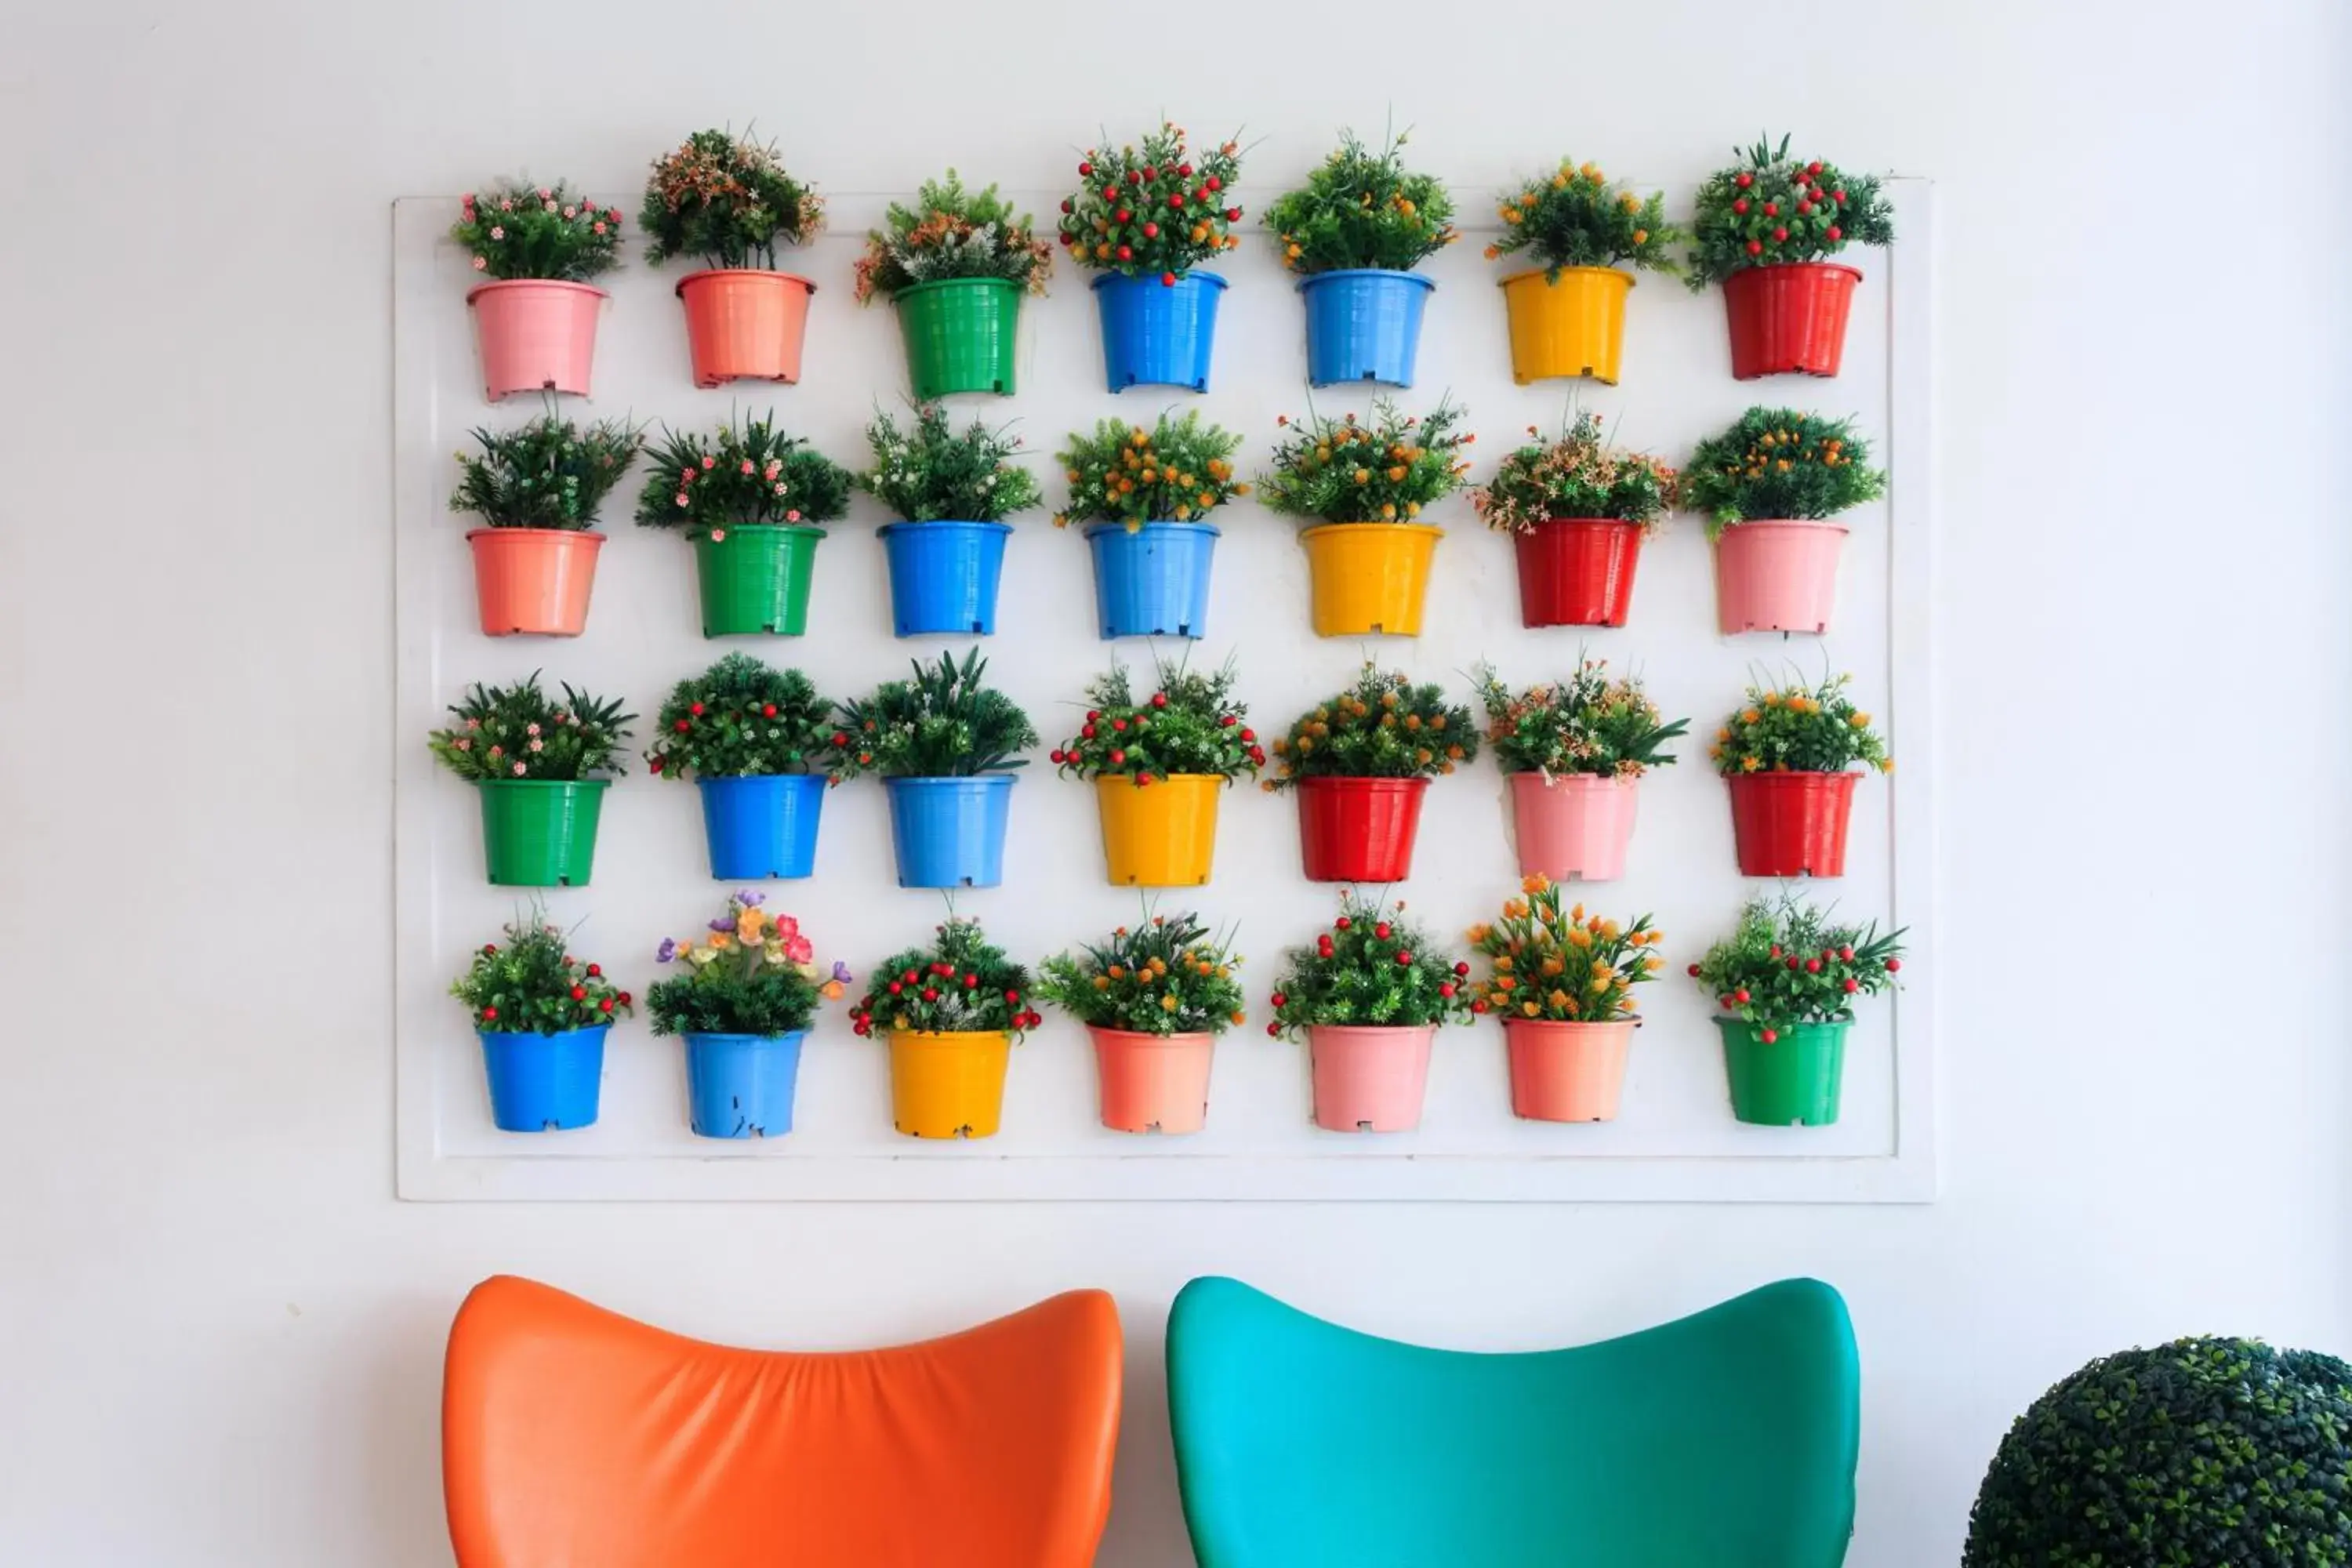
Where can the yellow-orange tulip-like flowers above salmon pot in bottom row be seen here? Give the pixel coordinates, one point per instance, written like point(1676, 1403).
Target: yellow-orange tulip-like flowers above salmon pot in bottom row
point(1561, 965)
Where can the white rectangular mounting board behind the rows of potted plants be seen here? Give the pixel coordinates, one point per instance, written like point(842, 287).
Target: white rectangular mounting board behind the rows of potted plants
point(1676, 1139)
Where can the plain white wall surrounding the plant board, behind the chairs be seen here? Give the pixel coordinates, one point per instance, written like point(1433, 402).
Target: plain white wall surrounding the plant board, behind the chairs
point(218, 1329)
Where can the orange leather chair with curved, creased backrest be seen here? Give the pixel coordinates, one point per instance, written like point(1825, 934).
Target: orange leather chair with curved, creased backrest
point(575, 1438)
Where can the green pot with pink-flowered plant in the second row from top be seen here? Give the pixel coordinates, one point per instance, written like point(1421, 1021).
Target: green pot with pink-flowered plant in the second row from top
point(754, 502)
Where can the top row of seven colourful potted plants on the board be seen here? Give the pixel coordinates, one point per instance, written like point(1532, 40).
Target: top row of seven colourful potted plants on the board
point(1147, 220)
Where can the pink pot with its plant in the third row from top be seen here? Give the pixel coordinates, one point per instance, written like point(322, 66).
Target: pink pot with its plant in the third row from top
point(1575, 756)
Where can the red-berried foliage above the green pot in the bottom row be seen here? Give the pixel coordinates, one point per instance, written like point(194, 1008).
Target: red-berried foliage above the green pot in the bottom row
point(1789, 963)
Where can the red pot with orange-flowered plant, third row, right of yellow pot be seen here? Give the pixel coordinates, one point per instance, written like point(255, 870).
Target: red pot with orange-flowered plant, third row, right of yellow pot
point(1361, 763)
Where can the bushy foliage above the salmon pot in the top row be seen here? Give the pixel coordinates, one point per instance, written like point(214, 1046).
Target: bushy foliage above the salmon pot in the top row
point(728, 201)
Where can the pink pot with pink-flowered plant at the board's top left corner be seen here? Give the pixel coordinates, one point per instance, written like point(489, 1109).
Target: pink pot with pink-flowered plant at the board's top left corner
point(535, 316)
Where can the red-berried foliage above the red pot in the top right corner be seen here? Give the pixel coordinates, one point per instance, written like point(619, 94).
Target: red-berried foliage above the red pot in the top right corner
point(1772, 208)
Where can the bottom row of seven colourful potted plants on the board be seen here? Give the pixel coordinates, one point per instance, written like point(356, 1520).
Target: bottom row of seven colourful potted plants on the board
point(1368, 998)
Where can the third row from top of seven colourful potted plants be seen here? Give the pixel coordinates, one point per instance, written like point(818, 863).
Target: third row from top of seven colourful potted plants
point(763, 744)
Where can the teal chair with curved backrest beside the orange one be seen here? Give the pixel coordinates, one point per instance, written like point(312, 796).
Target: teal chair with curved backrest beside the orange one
point(1725, 1440)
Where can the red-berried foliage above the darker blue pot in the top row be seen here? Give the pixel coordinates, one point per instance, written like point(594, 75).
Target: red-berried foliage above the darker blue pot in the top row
point(1154, 210)
